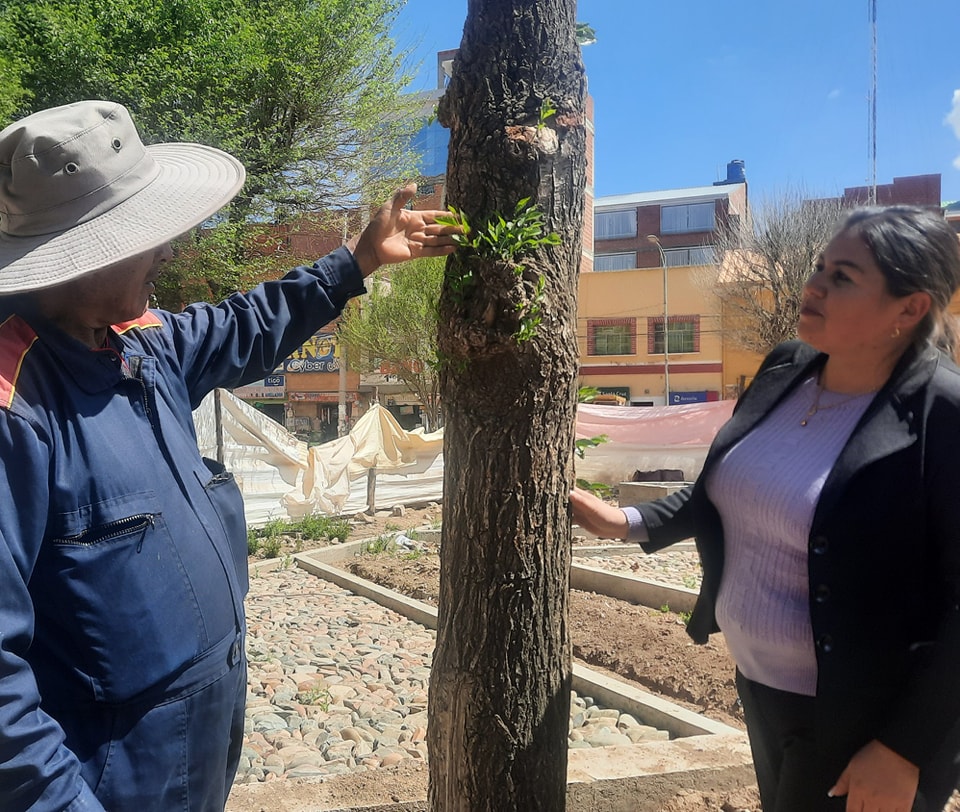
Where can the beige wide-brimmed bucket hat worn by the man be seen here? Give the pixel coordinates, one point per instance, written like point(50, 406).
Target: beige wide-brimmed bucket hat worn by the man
point(79, 191)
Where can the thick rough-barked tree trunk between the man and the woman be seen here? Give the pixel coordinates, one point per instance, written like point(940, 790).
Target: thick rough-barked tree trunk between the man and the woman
point(500, 685)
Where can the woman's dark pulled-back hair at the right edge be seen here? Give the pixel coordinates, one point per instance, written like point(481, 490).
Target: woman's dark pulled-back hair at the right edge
point(916, 250)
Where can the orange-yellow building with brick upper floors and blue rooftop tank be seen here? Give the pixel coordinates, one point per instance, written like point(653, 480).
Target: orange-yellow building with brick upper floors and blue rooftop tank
point(648, 326)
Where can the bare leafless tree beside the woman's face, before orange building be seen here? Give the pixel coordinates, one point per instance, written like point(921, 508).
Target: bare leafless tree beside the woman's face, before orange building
point(764, 263)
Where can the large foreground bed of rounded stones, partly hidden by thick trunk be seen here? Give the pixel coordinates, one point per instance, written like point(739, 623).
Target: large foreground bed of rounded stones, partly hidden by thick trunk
point(338, 683)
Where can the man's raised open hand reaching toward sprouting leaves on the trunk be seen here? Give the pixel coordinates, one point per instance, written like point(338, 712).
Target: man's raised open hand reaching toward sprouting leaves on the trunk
point(397, 234)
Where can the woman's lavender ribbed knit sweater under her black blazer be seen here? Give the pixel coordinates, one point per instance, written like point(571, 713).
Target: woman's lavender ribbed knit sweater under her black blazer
point(766, 490)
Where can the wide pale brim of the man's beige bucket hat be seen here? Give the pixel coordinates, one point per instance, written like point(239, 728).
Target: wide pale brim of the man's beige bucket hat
point(194, 182)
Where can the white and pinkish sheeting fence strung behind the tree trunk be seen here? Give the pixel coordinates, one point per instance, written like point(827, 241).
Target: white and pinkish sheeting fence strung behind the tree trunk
point(281, 478)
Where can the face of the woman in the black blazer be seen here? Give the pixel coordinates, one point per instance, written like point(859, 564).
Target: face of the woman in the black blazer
point(846, 306)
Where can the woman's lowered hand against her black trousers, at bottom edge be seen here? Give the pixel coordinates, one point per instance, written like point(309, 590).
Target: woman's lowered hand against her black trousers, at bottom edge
point(878, 780)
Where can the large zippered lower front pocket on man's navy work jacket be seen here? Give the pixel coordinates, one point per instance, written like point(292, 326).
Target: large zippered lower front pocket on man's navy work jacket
point(113, 598)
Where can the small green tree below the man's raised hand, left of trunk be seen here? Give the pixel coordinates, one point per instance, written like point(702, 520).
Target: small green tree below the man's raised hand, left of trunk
point(396, 325)
